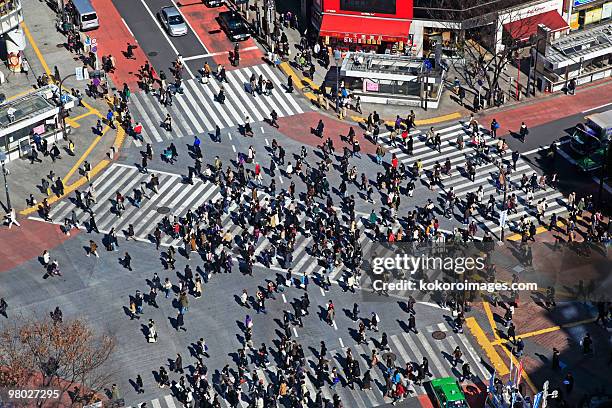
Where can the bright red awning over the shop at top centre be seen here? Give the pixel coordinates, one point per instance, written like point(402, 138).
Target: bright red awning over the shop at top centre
point(364, 30)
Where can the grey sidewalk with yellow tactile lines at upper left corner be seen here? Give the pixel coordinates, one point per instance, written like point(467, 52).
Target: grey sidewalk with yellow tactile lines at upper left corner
point(45, 51)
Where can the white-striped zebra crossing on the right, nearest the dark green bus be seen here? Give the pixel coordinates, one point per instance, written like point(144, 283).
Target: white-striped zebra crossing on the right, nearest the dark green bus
point(486, 174)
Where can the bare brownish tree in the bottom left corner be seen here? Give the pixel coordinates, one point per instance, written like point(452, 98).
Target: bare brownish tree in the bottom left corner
point(66, 356)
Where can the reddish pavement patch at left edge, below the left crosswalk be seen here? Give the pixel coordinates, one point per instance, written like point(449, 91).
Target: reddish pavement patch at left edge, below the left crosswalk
point(22, 244)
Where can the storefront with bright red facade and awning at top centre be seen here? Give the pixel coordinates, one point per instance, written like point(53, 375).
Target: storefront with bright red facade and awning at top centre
point(378, 26)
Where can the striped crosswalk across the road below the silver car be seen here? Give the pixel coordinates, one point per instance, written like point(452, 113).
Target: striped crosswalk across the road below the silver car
point(196, 110)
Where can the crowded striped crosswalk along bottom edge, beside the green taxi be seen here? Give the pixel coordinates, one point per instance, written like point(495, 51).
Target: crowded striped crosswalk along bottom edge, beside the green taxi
point(405, 348)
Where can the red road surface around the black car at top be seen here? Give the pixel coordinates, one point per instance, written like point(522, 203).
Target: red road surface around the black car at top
point(203, 20)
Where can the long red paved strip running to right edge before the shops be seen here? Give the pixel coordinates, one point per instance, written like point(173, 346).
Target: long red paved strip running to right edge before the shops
point(551, 109)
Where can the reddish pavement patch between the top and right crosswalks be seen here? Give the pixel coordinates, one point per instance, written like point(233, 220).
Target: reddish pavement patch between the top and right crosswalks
point(300, 128)
